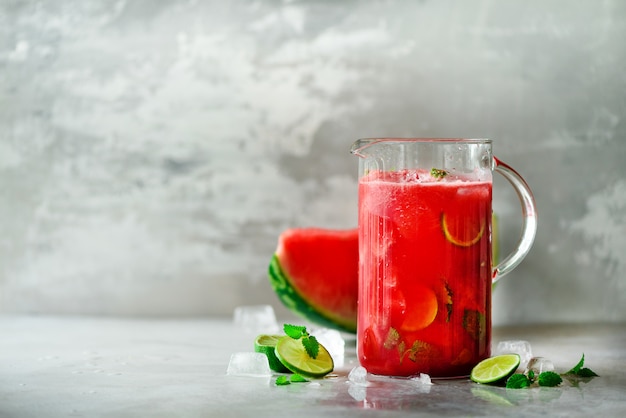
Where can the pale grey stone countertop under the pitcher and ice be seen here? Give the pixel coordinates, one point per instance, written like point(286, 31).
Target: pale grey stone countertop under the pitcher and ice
point(112, 367)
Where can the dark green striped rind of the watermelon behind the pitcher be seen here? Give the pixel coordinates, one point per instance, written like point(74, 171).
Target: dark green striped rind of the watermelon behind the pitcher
point(296, 303)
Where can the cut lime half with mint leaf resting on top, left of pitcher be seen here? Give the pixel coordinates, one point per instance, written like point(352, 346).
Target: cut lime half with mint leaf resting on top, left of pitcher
point(292, 354)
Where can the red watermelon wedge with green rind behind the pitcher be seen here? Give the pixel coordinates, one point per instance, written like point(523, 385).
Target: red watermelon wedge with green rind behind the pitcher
point(314, 272)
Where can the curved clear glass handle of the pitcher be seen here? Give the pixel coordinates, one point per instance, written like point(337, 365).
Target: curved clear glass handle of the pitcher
point(529, 225)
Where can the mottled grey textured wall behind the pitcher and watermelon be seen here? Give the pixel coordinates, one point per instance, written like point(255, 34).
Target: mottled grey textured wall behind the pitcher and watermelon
point(151, 152)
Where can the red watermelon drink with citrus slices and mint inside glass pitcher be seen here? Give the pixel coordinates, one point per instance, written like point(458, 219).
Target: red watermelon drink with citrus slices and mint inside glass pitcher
point(425, 272)
